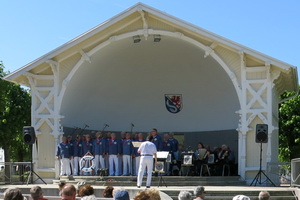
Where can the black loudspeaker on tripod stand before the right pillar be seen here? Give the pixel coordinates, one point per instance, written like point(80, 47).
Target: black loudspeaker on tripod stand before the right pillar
point(261, 136)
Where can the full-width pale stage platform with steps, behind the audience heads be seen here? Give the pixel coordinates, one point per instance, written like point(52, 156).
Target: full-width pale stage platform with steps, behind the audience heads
point(217, 188)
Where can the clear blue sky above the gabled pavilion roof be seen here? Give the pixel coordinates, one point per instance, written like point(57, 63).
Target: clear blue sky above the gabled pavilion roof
point(31, 28)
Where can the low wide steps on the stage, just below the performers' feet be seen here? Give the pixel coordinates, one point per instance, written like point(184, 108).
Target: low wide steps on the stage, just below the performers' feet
point(169, 180)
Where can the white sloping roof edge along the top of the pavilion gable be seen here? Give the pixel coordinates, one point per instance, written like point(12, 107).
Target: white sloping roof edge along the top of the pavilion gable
point(166, 18)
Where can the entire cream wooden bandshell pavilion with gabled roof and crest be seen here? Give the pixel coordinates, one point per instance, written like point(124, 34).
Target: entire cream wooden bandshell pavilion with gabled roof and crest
point(153, 70)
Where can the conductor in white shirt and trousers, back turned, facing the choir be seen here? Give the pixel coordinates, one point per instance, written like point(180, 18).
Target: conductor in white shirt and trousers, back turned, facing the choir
point(147, 150)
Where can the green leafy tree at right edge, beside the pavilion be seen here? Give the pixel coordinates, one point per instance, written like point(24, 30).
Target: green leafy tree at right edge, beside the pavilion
point(289, 127)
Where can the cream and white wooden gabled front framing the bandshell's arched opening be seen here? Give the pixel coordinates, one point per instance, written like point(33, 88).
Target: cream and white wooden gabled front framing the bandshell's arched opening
point(257, 79)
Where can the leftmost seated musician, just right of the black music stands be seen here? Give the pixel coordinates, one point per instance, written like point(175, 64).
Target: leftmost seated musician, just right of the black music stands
point(200, 157)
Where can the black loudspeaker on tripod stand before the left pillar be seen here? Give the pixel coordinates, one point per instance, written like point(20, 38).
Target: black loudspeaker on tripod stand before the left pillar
point(29, 138)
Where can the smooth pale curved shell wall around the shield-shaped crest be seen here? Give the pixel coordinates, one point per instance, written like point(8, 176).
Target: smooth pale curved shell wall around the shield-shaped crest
point(126, 83)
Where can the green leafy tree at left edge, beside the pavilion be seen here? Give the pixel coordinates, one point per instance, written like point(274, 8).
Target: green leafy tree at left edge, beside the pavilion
point(15, 107)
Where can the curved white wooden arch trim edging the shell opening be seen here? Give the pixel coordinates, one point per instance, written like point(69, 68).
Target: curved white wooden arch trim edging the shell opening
point(146, 32)
